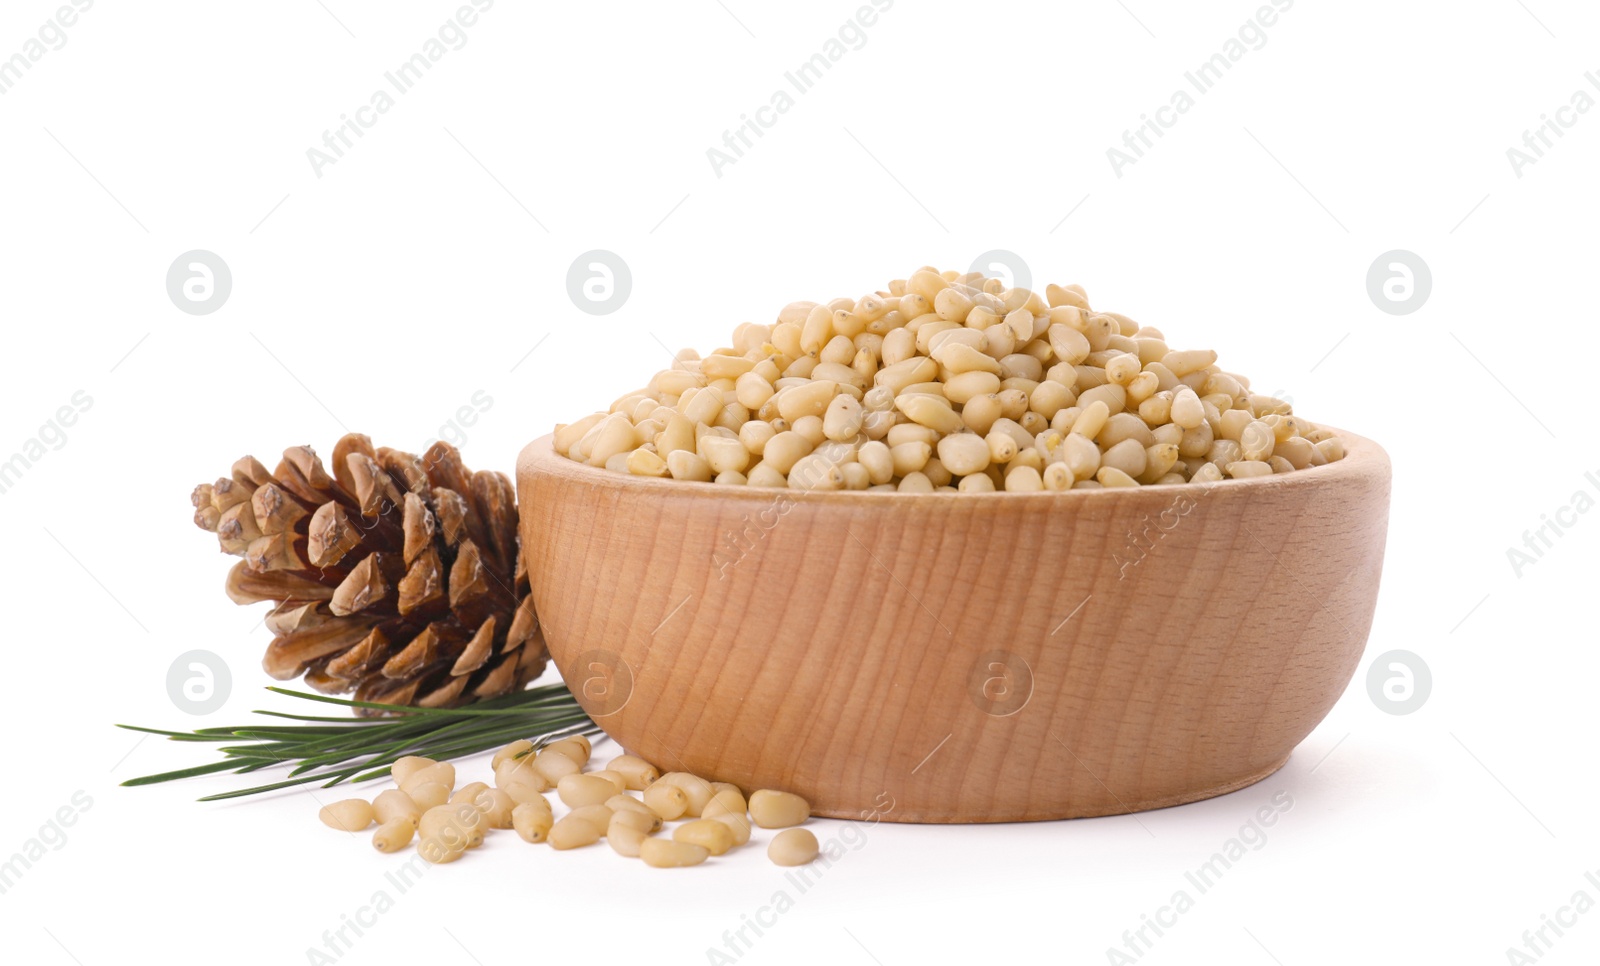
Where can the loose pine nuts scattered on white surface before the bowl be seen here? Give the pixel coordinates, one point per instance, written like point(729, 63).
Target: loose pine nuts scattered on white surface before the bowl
point(449, 821)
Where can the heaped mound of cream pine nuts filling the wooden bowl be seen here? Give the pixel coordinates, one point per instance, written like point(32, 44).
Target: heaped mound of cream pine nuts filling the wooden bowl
point(950, 383)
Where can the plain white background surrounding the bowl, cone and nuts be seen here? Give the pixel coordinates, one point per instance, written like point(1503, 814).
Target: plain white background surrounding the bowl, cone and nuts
point(430, 265)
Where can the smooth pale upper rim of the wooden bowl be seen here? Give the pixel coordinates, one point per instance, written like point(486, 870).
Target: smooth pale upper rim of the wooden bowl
point(1362, 458)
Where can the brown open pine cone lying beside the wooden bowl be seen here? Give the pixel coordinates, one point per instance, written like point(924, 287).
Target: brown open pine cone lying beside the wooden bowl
point(398, 578)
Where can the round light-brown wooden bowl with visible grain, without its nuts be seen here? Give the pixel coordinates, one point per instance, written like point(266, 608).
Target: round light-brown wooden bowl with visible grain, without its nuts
point(959, 658)
